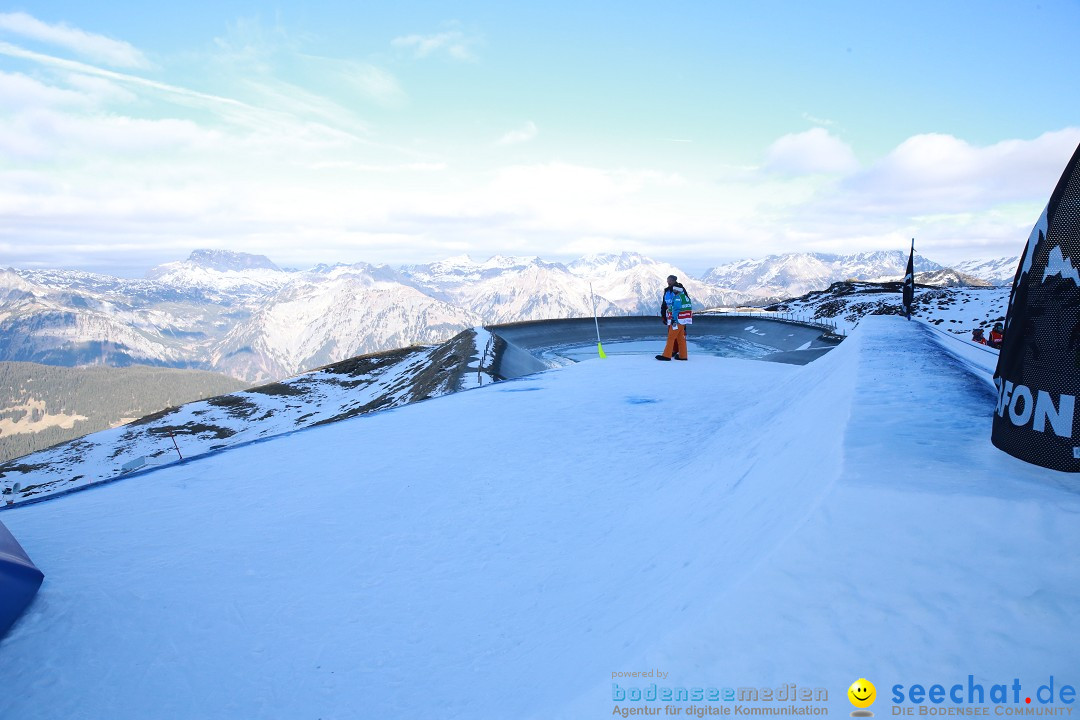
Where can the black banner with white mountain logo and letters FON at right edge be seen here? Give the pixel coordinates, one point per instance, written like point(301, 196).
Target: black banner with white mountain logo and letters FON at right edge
point(1038, 374)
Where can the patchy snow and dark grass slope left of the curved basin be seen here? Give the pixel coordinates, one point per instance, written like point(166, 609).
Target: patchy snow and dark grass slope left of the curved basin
point(343, 390)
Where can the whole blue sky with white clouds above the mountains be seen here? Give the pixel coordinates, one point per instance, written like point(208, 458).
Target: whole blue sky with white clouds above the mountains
point(408, 132)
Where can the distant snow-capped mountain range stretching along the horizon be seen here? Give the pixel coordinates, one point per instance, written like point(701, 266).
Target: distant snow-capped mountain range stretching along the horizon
point(244, 316)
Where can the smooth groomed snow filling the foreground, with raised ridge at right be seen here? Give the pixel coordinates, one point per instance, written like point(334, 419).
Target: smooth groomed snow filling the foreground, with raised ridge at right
point(501, 553)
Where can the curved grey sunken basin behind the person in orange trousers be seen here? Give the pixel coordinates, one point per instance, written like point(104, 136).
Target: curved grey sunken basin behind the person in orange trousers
point(523, 344)
